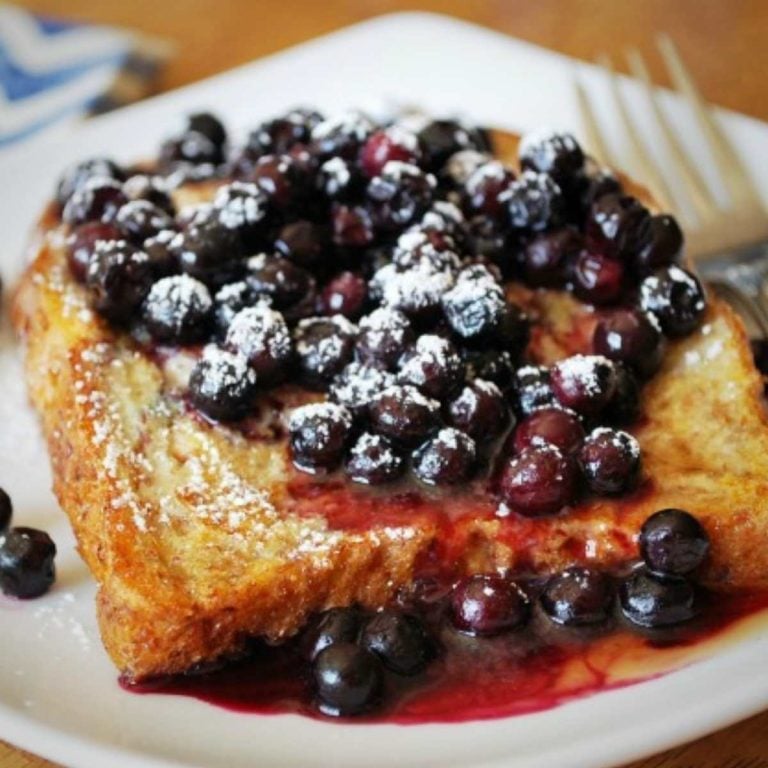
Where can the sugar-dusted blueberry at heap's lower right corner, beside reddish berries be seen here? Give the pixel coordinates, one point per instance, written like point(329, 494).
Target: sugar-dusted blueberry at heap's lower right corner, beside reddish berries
point(610, 461)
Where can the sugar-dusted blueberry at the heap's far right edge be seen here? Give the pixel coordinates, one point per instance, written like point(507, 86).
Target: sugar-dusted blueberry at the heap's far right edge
point(675, 297)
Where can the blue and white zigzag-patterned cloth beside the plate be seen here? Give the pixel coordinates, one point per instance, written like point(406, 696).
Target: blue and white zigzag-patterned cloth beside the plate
point(53, 71)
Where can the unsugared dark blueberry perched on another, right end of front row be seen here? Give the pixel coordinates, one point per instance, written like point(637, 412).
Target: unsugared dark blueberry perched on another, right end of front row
point(673, 542)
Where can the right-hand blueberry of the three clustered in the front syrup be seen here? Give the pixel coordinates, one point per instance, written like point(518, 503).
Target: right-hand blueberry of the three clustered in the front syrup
point(400, 640)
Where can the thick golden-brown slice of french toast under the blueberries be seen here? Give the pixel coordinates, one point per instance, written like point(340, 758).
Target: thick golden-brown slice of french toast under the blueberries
point(201, 536)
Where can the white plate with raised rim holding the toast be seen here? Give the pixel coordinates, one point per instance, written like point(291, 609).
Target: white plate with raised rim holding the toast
point(58, 691)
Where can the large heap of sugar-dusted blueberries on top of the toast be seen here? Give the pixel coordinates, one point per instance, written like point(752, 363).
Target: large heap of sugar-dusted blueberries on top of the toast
point(368, 261)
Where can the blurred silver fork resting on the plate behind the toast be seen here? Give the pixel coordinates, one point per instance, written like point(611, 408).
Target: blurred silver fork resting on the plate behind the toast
point(729, 243)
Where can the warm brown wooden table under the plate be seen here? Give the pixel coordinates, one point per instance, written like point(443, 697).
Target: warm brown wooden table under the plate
point(724, 41)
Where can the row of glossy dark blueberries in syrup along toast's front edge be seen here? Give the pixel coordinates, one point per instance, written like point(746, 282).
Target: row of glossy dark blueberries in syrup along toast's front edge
point(351, 652)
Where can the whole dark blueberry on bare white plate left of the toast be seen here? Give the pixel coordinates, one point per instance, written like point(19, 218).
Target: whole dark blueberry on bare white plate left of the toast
point(26, 562)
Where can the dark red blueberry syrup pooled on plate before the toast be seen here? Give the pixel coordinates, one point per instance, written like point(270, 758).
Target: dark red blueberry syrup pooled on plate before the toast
point(472, 679)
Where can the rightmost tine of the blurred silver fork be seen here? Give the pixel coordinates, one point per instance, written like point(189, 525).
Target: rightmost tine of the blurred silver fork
point(740, 186)
